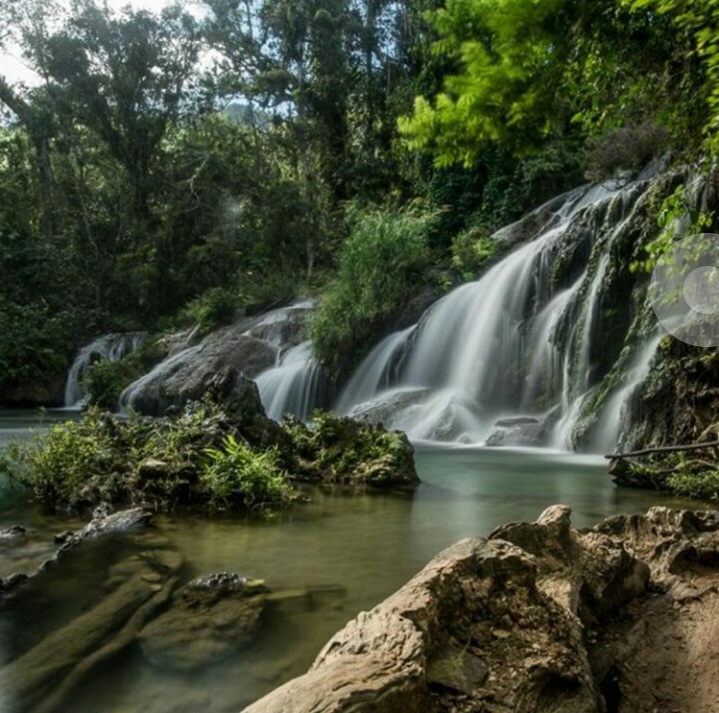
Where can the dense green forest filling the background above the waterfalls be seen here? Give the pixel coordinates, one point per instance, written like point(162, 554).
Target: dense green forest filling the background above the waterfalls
point(173, 167)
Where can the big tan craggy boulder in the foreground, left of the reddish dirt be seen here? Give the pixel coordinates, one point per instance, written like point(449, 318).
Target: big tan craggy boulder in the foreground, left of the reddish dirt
point(433, 639)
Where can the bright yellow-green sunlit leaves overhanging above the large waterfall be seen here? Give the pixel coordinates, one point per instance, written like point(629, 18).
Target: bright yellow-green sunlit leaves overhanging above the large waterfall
point(510, 57)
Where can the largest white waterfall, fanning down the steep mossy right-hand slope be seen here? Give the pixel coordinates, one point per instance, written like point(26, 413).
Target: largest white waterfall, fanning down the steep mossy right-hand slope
point(519, 342)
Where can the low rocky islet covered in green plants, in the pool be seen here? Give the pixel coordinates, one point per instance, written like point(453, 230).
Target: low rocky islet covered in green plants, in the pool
point(202, 457)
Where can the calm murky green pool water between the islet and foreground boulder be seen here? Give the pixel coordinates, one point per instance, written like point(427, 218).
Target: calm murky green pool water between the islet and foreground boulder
point(368, 544)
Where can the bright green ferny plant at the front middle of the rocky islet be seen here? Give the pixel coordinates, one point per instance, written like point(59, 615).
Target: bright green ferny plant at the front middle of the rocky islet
point(236, 475)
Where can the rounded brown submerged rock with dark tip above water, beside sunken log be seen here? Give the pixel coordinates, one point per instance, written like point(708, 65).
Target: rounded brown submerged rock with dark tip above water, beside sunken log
point(208, 618)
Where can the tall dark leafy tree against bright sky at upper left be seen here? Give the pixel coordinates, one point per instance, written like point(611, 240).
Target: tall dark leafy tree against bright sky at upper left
point(126, 77)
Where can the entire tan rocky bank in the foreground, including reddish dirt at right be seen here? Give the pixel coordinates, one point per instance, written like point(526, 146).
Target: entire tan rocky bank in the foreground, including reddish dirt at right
point(538, 617)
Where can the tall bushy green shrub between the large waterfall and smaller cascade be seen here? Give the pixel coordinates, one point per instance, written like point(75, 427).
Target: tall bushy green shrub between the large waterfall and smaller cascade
point(380, 266)
